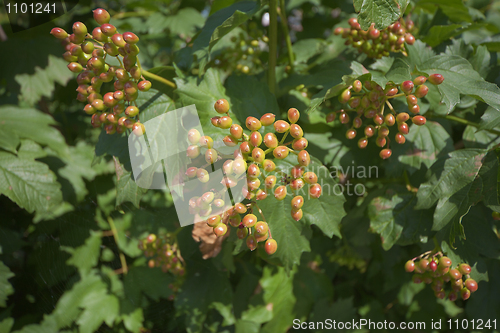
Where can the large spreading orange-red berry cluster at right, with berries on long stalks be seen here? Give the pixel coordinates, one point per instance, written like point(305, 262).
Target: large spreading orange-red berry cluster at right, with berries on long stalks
point(366, 103)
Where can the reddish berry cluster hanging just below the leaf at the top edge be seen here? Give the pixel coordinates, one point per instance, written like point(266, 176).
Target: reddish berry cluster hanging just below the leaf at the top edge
point(378, 43)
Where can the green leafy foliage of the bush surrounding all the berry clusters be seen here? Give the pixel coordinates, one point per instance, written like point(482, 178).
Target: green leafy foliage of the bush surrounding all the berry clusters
point(64, 185)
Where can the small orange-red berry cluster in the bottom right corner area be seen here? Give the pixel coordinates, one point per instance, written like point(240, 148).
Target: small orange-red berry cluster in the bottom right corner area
point(437, 270)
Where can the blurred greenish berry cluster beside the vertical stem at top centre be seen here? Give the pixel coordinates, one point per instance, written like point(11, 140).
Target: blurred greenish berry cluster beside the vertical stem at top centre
point(245, 54)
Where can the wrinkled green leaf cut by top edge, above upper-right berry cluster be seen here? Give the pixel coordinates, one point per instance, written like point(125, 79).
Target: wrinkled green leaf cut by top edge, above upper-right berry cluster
point(381, 12)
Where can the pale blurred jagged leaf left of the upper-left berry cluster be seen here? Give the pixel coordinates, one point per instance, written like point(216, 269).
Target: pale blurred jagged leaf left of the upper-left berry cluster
point(42, 82)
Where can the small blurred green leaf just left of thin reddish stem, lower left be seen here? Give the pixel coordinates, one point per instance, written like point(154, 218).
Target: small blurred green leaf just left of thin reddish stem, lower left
point(86, 256)
